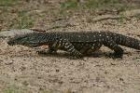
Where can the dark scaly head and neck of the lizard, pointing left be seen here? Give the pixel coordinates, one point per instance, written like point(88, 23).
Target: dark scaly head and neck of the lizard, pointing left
point(32, 39)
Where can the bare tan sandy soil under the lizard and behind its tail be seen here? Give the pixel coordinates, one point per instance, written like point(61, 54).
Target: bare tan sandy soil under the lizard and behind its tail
point(22, 67)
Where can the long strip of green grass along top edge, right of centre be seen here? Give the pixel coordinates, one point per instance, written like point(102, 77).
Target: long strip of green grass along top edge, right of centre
point(95, 5)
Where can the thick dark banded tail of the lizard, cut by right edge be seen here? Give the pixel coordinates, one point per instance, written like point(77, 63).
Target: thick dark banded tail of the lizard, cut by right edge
point(127, 41)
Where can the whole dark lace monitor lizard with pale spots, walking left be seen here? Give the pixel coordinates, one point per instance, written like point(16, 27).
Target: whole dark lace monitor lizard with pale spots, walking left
point(77, 43)
